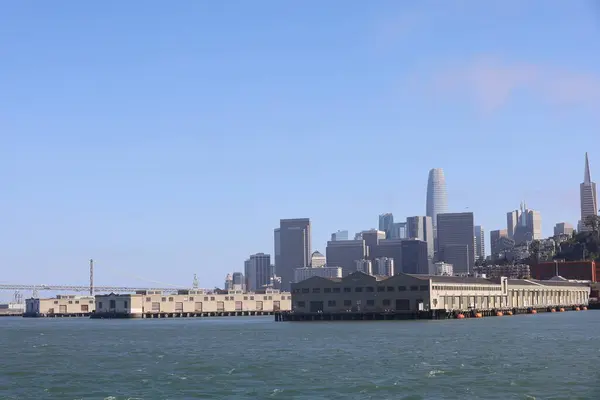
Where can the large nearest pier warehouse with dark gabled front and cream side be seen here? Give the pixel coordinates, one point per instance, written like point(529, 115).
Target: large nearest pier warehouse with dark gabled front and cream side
point(362, 293)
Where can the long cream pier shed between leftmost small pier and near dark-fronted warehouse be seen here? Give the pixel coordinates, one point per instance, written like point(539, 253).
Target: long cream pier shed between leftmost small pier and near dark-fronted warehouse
point(190, 302)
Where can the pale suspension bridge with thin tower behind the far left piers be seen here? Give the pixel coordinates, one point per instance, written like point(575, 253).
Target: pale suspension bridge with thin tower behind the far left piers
point(91, 289)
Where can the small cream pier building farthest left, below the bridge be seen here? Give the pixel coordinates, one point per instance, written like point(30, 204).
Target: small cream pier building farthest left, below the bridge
point(61, 305)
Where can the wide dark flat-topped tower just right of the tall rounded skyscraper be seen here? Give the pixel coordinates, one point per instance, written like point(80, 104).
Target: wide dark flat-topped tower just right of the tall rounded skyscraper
point(455, 241)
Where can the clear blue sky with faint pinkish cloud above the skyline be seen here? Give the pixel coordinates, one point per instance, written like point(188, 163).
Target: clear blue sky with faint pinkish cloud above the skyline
point(167, 139)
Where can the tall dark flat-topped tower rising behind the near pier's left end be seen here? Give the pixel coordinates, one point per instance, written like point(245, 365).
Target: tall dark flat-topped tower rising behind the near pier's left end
point(295, 248)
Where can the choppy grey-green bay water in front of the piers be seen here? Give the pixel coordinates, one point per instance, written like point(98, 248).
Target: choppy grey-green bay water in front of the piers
point(545, 356)
